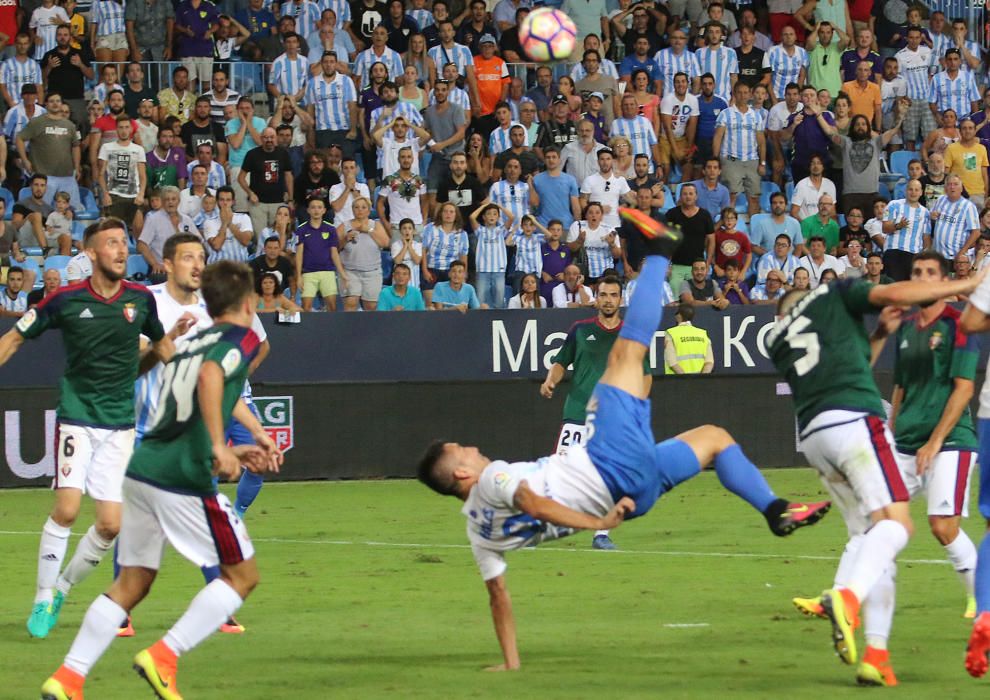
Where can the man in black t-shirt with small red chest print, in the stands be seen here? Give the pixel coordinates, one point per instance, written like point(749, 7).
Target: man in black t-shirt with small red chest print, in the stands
point(266, 177)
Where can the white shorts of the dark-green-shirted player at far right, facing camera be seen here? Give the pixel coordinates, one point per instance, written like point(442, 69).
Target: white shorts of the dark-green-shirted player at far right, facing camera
point(945, 484)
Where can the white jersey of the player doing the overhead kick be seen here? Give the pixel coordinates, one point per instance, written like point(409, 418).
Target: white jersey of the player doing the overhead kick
point(496, 526)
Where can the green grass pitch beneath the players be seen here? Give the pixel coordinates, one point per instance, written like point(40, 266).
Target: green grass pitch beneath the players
point(369, 590)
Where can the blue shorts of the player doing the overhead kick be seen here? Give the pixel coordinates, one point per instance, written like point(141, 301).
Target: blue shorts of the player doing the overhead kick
point(621, 446)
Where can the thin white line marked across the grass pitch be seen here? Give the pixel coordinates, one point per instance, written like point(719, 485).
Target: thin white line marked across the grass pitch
point(566, 550)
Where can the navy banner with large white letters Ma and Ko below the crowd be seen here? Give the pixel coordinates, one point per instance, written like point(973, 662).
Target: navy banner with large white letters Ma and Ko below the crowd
point(436, 347)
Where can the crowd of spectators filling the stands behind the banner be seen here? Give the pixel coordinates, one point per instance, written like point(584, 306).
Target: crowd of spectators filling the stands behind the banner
point(404, 155)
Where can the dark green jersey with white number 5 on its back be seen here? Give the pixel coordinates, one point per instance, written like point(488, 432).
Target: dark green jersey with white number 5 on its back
point(823, 351)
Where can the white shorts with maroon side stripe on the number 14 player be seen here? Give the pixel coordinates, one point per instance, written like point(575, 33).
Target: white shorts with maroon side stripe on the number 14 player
point(203, 529)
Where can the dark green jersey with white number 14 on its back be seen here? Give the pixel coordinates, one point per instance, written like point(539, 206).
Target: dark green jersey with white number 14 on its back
point(177, 454)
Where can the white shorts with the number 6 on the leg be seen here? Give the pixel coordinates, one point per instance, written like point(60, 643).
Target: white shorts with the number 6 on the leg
point(92, 460)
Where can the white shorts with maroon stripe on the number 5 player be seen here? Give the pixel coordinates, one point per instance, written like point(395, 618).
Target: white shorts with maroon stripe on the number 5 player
point(852, 452)
